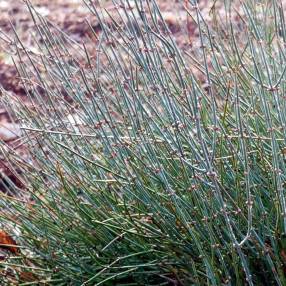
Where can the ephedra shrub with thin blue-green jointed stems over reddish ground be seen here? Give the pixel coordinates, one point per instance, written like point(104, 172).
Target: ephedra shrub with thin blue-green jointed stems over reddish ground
point(148, 163)
